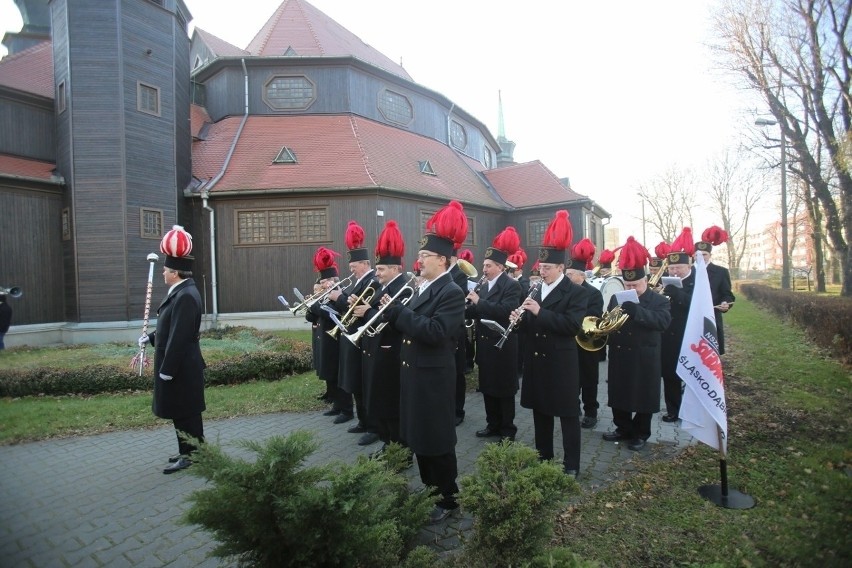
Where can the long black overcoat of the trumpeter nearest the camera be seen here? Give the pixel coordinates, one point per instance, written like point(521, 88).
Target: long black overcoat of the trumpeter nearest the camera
point(430, 325)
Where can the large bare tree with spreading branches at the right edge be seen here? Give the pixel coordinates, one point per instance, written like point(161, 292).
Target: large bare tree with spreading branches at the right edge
point(796, 55)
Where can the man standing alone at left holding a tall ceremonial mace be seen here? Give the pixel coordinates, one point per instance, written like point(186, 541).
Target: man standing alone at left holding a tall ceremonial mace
point(178, 364)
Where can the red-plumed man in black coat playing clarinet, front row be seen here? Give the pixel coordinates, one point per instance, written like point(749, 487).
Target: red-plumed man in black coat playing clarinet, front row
point(551, 385)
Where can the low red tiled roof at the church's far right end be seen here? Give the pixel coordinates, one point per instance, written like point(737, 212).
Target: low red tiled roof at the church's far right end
point(529, 184)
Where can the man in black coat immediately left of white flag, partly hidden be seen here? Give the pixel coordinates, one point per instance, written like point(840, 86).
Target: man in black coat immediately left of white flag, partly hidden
point(680, 298)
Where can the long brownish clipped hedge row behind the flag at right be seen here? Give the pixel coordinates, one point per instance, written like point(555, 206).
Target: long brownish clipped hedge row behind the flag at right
point(826, 319)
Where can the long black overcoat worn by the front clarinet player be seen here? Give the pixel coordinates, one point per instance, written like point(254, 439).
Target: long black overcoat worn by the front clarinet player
point(551, 382)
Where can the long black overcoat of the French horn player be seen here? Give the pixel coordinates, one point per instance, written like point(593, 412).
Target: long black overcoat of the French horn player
point(634, 356)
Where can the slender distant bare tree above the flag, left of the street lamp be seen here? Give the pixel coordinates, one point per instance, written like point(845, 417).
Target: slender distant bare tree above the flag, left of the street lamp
point(734, 194)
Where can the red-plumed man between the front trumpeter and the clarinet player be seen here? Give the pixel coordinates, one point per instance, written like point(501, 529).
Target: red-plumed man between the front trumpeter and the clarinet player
point(498, 296)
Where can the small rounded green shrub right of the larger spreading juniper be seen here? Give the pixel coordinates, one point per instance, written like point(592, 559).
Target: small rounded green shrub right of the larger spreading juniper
point(514, 499)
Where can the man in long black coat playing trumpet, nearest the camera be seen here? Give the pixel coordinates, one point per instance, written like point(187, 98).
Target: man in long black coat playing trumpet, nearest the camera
point(430, 325)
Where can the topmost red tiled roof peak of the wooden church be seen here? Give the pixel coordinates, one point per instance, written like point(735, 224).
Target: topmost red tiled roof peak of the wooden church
point(298, 25)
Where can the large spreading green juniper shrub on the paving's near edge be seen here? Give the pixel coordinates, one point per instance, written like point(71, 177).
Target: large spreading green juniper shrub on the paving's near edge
point(275, 512)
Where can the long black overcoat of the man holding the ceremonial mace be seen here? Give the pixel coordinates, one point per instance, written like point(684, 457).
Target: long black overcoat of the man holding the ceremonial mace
point(178, 354)
